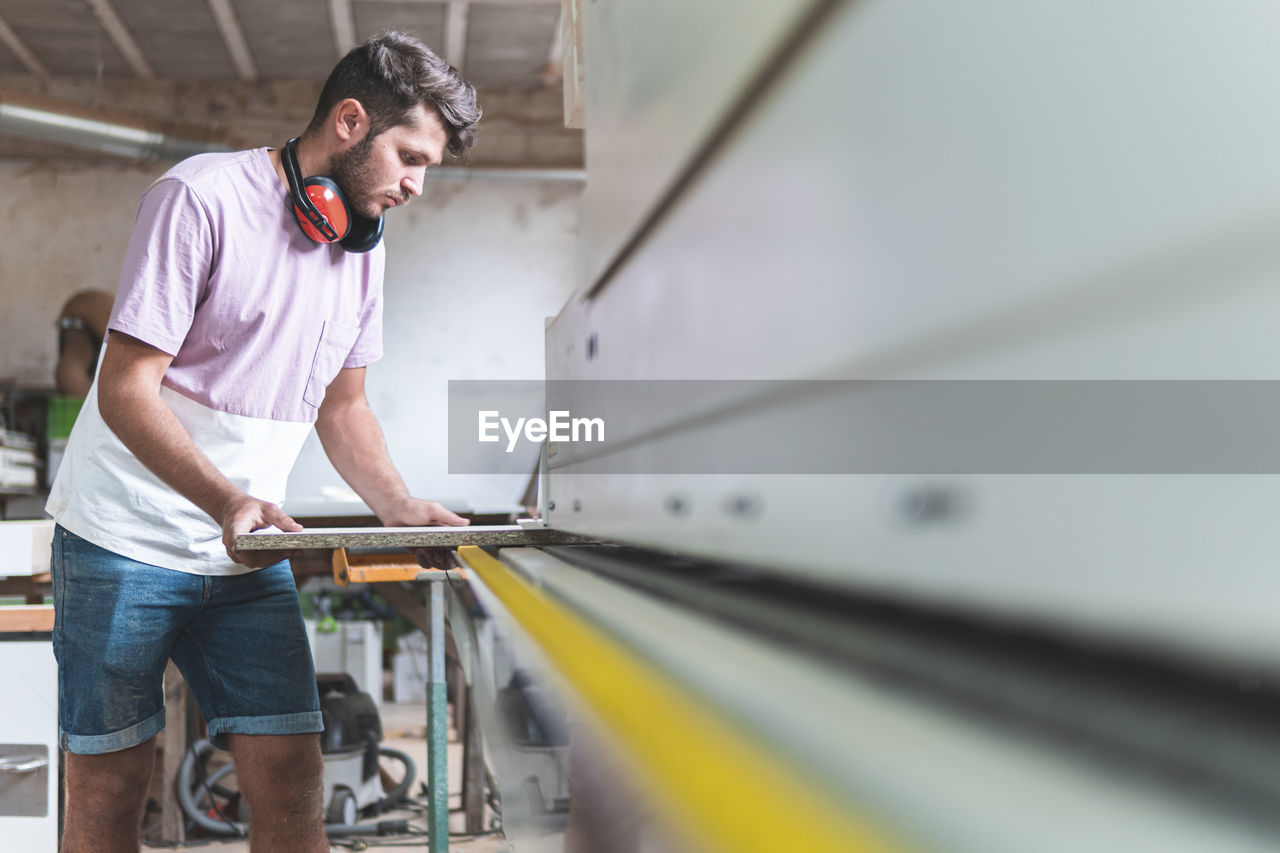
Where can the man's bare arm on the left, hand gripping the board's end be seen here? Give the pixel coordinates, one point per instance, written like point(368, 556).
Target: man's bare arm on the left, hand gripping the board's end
point(129, 399)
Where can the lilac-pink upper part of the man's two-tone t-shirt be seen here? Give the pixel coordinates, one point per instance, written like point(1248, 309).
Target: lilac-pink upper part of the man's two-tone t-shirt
point(259, 318)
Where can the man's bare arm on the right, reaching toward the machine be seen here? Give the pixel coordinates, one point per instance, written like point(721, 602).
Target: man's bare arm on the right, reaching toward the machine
point(354, 443)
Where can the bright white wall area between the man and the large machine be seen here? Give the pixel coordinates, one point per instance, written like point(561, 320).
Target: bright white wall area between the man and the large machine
point(473, 271)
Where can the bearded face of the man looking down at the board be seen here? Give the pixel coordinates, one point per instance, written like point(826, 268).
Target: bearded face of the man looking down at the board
point(386, 171)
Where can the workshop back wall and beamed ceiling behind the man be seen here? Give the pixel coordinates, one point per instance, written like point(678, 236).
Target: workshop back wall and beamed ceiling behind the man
point(488, 247)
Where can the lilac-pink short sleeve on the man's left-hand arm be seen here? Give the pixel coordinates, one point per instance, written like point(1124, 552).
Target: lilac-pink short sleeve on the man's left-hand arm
point(166, 268)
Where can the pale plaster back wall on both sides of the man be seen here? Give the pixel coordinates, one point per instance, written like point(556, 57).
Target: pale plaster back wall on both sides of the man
point(473, 270)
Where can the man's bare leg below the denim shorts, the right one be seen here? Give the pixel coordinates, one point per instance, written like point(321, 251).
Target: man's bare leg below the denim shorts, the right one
point(282, 779)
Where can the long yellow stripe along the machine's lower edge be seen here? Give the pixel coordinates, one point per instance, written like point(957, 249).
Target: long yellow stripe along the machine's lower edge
point(711, 778)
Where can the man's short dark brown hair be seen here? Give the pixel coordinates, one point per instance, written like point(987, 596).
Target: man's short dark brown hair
point(391, 75)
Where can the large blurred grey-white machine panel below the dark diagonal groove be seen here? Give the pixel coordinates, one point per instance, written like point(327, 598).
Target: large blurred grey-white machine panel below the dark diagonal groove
point(979, 191)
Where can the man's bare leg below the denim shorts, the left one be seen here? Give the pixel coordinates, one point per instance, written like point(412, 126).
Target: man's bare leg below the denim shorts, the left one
point(106, 797)
